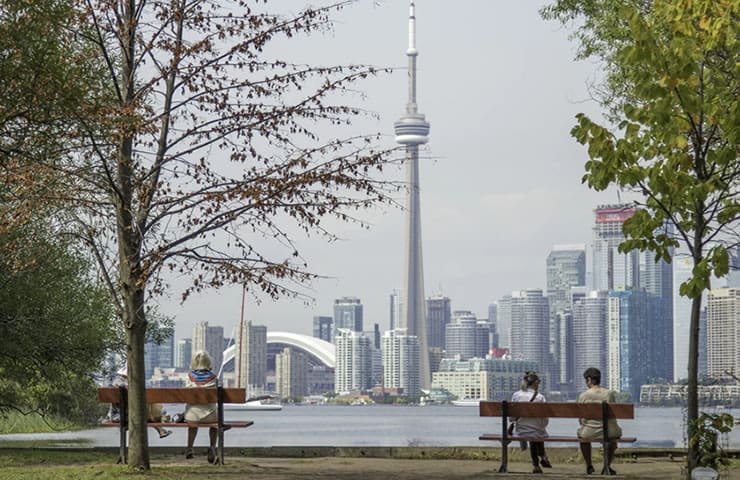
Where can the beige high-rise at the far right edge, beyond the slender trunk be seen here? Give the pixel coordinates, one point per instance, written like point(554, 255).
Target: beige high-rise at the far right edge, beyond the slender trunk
point(723, 332)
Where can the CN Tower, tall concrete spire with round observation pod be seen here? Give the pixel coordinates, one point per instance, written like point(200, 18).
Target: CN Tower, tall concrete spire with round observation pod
point(412, 130)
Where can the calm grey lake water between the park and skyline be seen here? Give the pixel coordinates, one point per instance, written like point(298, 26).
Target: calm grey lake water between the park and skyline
point(386, 425)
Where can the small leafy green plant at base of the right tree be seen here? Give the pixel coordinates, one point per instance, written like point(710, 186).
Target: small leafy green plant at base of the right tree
point(705, 438)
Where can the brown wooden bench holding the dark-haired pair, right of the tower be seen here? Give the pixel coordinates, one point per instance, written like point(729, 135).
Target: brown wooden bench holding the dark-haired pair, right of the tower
point(595, 411)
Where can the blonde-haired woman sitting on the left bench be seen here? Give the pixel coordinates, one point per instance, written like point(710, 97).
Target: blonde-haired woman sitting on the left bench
point(202, 376)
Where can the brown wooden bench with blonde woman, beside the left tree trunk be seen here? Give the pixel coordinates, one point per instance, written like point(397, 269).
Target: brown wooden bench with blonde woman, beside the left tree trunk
point(218, 396)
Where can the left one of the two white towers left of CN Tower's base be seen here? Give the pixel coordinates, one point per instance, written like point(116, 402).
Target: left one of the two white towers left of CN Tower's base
point(353, 370)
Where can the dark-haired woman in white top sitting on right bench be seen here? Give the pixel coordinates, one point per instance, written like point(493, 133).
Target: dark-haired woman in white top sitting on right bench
point(532, 427)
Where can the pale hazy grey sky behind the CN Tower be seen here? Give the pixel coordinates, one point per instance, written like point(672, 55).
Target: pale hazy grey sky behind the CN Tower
point(500, 182)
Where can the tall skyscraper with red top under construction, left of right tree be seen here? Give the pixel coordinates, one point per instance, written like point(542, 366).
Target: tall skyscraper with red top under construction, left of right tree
point(611, 269)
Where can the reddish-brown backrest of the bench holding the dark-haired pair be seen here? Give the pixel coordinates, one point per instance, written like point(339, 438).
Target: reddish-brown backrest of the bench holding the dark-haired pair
point(557, 410)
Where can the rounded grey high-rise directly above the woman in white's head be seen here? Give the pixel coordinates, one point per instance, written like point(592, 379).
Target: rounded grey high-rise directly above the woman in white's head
point(530, 329)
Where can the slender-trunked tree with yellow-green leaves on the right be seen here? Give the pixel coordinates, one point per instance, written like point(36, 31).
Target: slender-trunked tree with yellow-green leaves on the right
point(671, 92)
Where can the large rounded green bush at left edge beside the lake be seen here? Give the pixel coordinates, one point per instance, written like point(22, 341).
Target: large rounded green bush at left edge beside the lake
point(56, 325)
